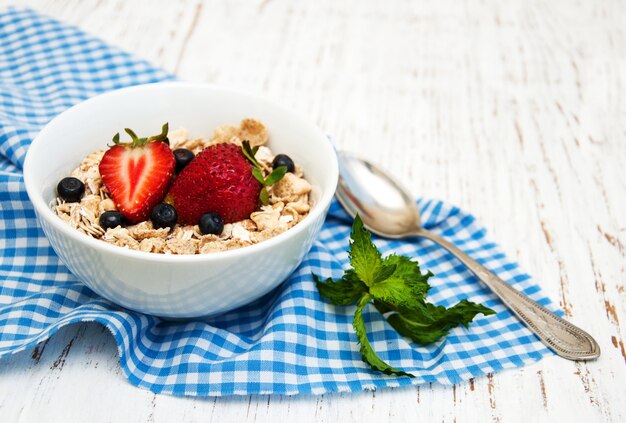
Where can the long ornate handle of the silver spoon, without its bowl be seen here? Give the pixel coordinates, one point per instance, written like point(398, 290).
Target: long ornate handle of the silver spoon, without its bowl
point(565, 339)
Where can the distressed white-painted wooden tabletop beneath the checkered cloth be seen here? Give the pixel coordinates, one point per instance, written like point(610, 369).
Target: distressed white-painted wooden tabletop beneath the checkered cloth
point(513, 110)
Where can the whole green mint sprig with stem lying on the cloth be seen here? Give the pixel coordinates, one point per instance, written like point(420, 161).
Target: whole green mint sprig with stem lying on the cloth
point(396, 286)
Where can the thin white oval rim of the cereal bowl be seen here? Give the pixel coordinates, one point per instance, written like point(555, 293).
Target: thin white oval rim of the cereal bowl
point(44, 212)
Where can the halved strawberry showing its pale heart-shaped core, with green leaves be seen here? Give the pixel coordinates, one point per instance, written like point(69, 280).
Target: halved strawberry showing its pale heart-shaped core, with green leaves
point(137, 174)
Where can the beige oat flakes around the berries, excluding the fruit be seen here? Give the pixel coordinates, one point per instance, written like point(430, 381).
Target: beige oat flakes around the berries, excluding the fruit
point(288, 204)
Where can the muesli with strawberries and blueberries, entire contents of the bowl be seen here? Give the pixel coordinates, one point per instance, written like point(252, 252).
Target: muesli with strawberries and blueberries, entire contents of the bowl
point(173, 194)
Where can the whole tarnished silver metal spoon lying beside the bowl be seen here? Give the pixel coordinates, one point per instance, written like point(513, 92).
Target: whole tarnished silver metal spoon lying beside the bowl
point(389, 211)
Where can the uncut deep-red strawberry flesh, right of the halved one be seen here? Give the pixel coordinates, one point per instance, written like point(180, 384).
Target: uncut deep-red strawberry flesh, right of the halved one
point(219, 180)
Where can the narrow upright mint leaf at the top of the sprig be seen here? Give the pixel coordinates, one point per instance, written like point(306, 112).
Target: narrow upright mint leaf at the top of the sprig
point(364, 256)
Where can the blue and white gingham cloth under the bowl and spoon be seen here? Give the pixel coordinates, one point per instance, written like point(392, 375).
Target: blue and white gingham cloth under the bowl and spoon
point(288, 342)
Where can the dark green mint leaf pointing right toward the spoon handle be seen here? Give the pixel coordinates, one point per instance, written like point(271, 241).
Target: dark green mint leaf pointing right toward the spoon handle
point(429, 323)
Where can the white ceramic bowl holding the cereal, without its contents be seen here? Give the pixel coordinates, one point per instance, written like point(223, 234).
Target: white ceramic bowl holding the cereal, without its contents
point(176, 286)
